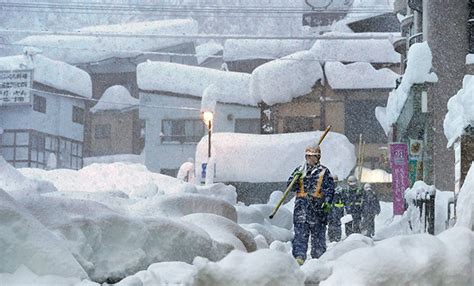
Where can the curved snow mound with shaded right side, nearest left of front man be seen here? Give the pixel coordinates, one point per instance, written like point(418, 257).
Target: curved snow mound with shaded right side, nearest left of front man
point(223, 230)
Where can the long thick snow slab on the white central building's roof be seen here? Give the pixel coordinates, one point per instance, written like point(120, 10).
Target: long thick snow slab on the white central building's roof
point(233, 87)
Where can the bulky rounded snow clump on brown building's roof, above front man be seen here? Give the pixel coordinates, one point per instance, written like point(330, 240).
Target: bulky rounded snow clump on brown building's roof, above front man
point(283, 79)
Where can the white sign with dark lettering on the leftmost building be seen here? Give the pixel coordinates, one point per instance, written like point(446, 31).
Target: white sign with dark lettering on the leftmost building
point(15, 87)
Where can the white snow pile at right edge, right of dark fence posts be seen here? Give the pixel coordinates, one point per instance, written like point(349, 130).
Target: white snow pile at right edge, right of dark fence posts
point(465, 202)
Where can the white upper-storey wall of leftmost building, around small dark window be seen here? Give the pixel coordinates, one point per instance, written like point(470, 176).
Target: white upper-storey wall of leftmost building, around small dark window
point(56, 121)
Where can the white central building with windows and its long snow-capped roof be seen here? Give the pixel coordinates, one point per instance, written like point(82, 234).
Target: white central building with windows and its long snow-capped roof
point(170, 104)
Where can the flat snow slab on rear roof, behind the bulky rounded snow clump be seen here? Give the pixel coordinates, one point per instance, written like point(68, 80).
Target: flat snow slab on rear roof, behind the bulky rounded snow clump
point(236, 49)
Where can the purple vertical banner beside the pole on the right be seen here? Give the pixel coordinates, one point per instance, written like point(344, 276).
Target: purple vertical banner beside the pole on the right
point(400, 182)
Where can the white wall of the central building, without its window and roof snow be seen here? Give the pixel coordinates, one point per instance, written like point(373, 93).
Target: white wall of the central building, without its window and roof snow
point(172, 155)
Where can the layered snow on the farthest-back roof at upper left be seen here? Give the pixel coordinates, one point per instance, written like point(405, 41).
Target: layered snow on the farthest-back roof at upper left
point(86, 49)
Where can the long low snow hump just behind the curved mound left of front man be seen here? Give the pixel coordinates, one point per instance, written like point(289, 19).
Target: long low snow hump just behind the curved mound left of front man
point(183, 204)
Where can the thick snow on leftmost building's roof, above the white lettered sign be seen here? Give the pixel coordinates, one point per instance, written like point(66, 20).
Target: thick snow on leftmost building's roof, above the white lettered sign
point(52, 73)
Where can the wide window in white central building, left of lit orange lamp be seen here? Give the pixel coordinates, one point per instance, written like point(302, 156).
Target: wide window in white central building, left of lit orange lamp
point(182, 130)
